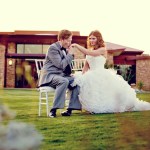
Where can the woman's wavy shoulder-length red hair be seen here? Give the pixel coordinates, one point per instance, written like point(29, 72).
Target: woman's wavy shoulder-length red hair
point(100, 41)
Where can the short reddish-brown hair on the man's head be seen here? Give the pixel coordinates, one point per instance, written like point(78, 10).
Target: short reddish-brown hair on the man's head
point(64, 34)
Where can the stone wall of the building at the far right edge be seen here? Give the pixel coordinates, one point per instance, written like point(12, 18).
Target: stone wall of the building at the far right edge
point(143, 71)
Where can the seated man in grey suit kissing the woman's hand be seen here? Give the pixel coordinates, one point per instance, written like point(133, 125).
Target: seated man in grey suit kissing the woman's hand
point(56, 73)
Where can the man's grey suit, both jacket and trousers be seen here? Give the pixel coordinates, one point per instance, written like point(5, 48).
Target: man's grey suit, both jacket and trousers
point(54, 74)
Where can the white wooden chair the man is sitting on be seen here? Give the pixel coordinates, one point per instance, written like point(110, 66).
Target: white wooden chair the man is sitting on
point(43, 91)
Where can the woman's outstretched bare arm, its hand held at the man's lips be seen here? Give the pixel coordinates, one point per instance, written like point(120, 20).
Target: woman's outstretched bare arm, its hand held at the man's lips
point(99, 51)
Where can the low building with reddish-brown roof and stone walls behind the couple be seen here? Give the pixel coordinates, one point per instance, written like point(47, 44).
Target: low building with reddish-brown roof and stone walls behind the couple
point(18, 50)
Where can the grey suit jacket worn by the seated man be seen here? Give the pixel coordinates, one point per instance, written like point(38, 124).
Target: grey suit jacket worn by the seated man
point(55, 64)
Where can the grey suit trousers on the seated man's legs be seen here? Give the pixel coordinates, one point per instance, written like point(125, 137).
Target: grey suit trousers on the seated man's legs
point(61, 84)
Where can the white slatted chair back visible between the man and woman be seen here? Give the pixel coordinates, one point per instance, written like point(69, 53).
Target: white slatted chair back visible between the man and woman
point(77, 64)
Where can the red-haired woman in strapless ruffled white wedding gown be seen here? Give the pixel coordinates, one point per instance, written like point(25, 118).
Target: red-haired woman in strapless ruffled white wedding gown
point(101, 90)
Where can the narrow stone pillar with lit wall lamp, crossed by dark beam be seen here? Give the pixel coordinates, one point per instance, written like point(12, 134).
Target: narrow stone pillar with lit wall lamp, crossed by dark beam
point(10, 73)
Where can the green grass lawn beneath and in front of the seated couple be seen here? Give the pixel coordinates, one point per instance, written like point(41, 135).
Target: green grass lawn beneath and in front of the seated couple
point(120, 131)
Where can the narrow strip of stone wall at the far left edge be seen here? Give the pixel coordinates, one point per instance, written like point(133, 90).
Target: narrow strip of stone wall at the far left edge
point(2, 65)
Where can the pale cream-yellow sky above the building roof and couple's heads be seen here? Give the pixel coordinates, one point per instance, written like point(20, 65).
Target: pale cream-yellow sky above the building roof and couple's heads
point(124, 22)
